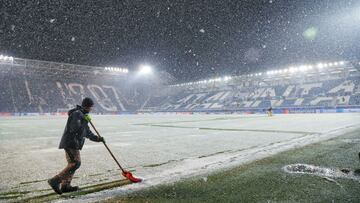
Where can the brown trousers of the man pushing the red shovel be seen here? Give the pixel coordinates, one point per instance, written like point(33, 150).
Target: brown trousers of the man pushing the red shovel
point(74, 162)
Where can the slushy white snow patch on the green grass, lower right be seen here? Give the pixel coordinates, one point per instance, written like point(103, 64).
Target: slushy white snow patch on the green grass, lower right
point(323, 171)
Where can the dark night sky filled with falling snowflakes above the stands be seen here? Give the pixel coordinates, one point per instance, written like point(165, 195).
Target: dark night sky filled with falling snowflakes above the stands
point(189, 39)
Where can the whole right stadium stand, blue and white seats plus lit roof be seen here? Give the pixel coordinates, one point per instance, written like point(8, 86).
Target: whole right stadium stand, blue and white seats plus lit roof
point(332, 88)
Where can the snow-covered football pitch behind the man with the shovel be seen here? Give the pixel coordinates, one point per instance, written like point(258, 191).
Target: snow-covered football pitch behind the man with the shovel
point(158, 148)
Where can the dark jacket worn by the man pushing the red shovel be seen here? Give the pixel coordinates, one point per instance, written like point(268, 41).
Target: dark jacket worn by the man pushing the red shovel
point(76, 130)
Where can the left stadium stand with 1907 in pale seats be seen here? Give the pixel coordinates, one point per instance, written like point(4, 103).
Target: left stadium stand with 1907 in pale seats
point(30, 86)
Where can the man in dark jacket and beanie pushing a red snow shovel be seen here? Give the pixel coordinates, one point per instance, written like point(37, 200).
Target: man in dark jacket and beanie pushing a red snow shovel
point(72, 141)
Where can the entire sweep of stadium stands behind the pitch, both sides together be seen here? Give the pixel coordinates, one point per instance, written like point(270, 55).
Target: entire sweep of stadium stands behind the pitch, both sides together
point(31, 86)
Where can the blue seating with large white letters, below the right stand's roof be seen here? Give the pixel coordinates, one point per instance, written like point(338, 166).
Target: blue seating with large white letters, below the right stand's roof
point(329, 93)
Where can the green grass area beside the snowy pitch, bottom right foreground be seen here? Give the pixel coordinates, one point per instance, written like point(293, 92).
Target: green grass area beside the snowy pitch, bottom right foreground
point(265, 181)
